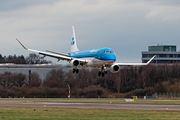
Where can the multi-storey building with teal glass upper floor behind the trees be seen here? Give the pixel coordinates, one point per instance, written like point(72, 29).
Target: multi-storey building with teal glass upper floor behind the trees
point(164, 54)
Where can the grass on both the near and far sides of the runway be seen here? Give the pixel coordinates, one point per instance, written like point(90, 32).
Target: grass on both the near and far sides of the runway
point(22, 113)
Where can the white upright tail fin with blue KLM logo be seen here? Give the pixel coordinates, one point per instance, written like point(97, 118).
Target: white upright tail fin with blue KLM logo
point(73, 41)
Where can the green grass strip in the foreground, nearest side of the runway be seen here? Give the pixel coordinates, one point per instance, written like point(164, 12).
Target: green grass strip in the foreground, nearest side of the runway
point(19, 113)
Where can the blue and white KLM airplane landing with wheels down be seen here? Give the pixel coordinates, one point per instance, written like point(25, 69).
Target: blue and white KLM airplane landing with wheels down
point(102, 58)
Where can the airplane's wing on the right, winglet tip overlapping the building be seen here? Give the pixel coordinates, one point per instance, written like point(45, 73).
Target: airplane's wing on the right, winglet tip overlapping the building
point(136, 64)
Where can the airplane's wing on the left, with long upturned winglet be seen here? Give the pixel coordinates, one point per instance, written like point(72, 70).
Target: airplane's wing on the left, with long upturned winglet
point(52, 54)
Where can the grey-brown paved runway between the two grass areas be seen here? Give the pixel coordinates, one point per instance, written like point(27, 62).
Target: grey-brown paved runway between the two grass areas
point(56, 104)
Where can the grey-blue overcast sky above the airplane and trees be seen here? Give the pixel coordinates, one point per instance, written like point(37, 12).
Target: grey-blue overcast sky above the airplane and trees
point(126, 26)
